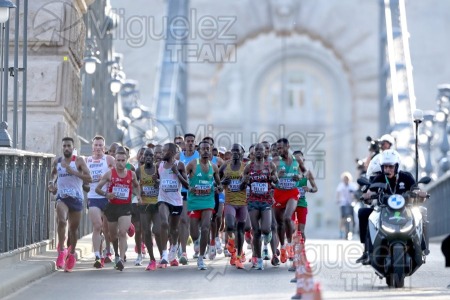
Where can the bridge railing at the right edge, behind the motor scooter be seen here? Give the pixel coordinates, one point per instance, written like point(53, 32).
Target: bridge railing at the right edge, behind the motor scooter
point(439, 206)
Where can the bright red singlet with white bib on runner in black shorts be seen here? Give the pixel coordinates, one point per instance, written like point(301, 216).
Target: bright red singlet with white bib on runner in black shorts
point(121, 187)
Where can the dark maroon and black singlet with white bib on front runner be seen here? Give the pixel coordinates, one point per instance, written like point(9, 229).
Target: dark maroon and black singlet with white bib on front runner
point(260, 188)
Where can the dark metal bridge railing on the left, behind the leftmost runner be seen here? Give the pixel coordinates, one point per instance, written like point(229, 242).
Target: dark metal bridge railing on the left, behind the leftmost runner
point(27, 210)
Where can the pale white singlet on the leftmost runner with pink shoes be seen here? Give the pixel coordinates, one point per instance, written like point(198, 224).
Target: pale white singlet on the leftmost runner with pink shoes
point(69, 185)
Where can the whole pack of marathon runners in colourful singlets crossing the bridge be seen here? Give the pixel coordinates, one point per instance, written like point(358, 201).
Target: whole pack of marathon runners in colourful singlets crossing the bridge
point(182, 189)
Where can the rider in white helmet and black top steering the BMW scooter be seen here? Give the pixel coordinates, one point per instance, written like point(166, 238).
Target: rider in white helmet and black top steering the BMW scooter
point(398, 182)
